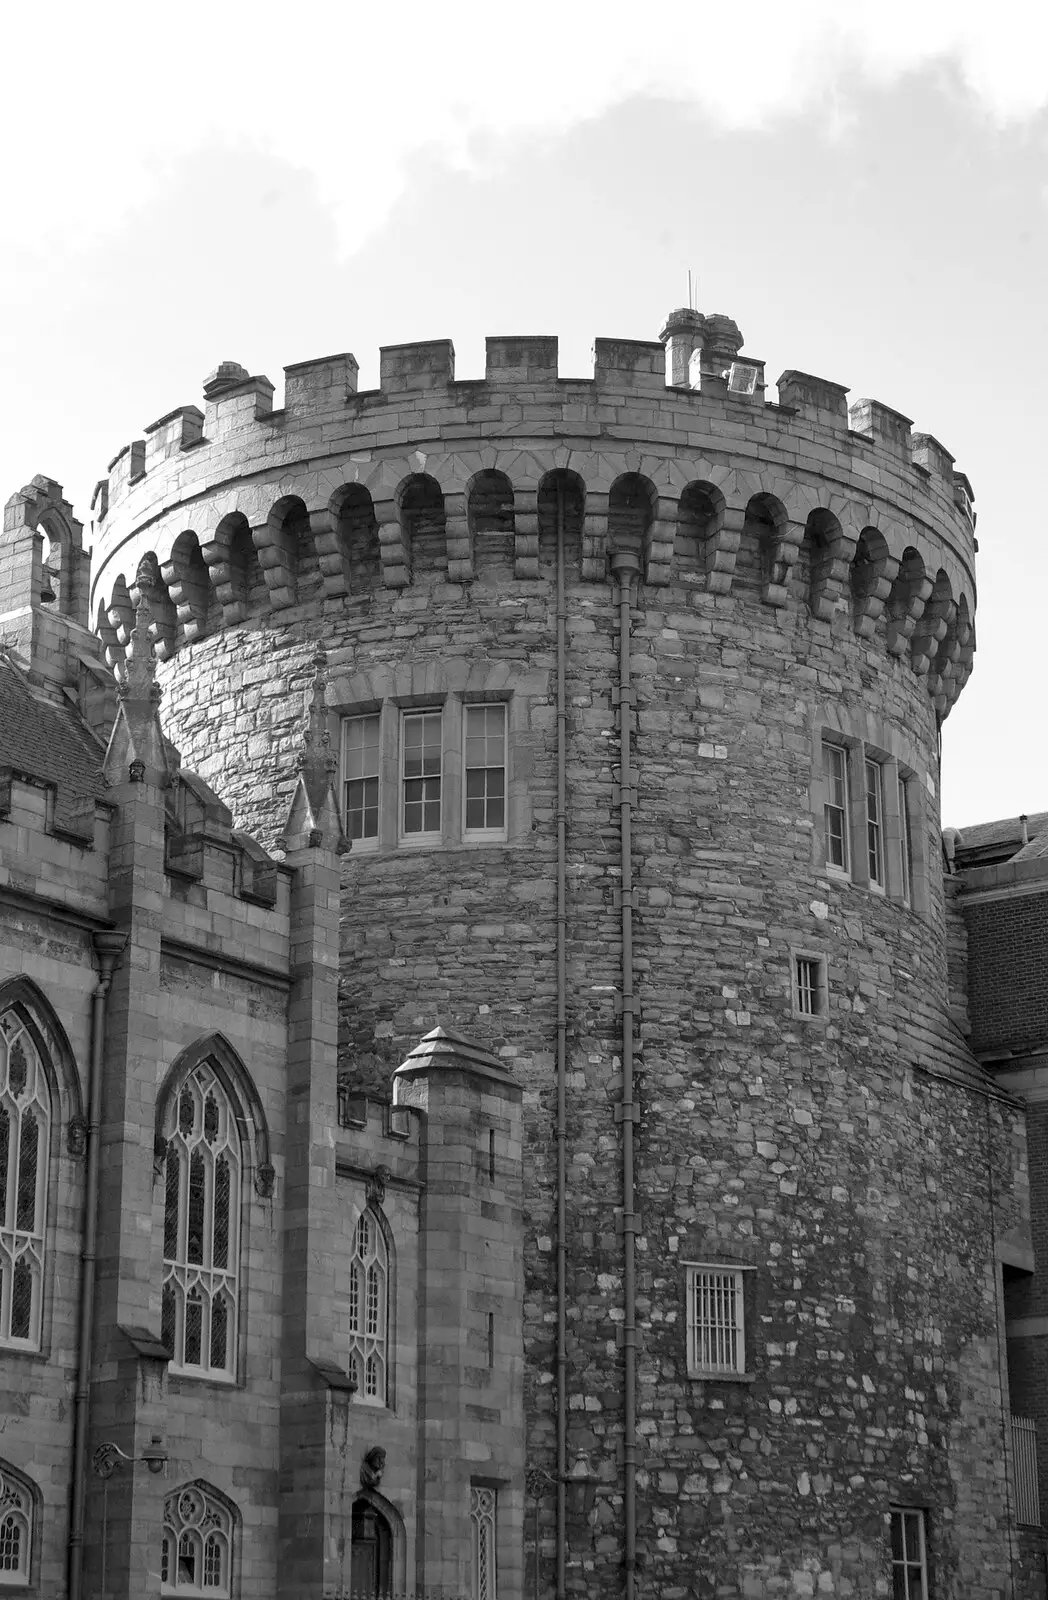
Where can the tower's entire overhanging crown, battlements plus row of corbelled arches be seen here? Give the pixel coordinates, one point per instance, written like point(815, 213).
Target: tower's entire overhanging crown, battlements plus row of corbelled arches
point(839, 514)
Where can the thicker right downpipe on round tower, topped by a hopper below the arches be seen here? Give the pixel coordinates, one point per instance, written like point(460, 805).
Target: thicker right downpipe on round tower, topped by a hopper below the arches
point(626, 567)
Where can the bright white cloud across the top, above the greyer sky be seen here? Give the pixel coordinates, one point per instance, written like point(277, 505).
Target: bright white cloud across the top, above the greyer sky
point(102, 102)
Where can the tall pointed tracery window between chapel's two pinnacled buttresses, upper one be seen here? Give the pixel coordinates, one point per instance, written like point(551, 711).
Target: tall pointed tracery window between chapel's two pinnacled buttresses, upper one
point(202, 1230)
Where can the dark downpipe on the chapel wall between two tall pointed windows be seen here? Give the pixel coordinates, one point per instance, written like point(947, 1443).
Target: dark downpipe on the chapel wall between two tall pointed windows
point(108, 948)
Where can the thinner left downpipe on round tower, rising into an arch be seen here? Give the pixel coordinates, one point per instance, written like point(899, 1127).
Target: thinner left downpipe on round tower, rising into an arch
point(562, 1066)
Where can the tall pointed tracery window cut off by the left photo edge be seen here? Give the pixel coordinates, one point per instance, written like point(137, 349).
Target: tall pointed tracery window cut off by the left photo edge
point(25, 1143)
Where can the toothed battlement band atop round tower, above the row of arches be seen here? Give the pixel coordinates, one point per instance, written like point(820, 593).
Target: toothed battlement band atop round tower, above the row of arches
point(695, 374)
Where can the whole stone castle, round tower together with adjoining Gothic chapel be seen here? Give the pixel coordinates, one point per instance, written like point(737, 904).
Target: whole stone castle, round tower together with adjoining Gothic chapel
point(538, 1146)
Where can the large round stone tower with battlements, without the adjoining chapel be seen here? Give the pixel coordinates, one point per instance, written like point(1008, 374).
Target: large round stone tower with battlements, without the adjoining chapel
point(636, 687)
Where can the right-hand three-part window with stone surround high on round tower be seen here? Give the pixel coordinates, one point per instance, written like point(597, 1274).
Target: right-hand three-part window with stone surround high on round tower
point(895, 753)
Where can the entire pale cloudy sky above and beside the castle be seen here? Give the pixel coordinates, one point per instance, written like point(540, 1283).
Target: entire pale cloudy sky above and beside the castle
point(863, 190)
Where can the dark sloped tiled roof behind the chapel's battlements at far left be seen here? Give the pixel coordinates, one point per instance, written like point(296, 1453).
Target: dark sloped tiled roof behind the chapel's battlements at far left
point(54, 745)
